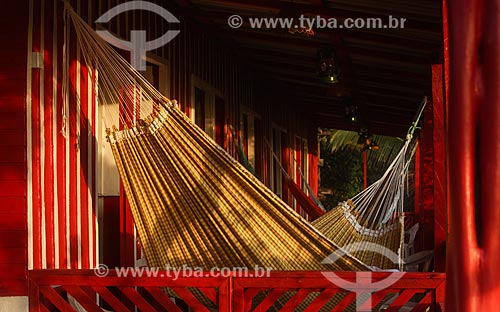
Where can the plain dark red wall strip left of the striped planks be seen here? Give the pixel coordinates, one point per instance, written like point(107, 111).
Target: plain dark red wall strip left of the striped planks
point(13, 234)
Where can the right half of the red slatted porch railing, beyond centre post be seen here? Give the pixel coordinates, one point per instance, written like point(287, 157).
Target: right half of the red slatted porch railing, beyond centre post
point(301, 284)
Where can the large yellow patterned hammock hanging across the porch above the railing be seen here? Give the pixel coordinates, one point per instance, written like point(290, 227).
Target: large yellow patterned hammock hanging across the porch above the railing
point(194, 205)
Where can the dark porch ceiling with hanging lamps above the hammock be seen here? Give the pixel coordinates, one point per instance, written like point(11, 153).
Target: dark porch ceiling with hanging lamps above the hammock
point(386, 71)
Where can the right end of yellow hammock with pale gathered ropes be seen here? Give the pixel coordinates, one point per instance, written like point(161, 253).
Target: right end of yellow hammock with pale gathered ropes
point(375, 215)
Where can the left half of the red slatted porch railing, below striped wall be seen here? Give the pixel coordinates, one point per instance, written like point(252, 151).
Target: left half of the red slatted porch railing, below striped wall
point(49, 288)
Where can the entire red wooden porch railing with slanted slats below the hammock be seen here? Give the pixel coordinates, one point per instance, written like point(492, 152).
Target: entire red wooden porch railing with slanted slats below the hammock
point(68, 290)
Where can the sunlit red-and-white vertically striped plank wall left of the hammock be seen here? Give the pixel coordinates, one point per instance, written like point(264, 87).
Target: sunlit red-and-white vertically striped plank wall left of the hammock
point(61, 148)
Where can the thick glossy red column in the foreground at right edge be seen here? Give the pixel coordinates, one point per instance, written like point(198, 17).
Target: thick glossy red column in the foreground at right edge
point(474, 157)
